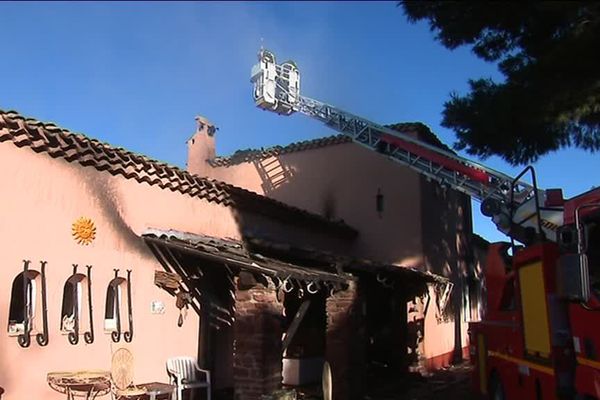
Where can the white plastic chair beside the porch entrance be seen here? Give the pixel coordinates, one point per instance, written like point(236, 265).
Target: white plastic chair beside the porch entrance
point(183, 373)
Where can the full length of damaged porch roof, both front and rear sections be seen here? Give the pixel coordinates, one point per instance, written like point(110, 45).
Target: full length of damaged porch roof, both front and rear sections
point(274, 260)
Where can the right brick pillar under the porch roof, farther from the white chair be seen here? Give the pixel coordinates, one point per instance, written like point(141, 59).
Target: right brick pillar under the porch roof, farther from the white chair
point(346, 343)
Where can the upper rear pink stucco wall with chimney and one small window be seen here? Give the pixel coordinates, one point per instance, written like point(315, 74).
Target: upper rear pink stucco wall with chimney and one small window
point(340, 182)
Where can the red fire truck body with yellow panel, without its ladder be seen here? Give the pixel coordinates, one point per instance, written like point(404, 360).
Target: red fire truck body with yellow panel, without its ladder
point(540, 335)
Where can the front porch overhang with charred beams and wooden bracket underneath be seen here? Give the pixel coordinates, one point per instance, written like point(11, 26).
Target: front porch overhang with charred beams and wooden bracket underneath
point(208, 267)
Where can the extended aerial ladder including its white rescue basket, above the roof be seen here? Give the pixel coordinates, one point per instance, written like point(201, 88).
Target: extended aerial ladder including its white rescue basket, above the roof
point(518, 209)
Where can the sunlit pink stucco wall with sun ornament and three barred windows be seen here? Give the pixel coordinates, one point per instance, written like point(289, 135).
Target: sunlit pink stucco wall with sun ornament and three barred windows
point(40, 197)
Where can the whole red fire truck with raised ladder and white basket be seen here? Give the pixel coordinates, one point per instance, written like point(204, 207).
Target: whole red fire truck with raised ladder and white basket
point(540, 335)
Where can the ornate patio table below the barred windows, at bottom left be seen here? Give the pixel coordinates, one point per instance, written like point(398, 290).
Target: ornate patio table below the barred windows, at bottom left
point(86, 384)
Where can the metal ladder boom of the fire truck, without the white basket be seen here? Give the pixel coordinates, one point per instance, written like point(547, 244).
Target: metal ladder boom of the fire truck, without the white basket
point(512, 204)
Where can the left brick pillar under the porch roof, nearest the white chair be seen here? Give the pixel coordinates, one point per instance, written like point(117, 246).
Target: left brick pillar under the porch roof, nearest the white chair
point(257, 330)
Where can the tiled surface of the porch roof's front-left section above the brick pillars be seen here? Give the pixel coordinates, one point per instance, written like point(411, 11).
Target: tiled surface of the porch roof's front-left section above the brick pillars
point(235, 254)
